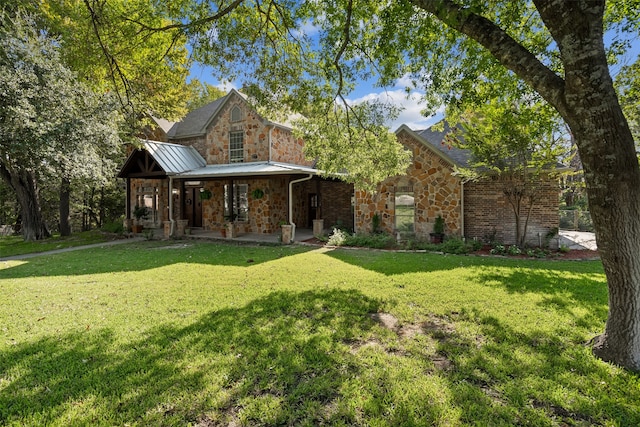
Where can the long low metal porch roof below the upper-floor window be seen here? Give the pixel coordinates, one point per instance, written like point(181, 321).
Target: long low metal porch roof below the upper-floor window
point(247, 169)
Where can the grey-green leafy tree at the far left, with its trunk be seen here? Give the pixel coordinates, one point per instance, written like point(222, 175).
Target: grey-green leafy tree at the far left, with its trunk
point(51, 125)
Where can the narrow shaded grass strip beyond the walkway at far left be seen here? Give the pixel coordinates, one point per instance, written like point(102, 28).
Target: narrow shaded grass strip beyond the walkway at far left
point(15, 245)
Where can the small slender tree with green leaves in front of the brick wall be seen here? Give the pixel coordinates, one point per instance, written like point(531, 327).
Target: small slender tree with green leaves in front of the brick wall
point(517, 144)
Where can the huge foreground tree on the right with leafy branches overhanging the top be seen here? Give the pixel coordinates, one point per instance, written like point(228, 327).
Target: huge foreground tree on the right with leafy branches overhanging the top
point(555, 47)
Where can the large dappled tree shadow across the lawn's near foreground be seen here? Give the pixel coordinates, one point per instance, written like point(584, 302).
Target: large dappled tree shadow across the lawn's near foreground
point(313, 358)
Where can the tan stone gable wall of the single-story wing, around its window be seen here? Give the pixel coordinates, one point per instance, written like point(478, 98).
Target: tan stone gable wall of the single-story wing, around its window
point(437, 192)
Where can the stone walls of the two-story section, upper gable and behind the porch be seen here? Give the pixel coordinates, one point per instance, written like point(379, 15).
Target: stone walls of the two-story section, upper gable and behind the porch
point(262, 141)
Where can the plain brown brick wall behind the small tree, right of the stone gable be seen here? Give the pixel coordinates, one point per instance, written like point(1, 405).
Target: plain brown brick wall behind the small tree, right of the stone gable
point(490, 216)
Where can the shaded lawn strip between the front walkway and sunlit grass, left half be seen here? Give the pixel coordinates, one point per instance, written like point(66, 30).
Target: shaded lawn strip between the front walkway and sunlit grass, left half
point(148, 255)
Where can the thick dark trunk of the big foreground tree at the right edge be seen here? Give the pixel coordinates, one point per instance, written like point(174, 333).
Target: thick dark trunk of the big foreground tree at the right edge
point(611, 169)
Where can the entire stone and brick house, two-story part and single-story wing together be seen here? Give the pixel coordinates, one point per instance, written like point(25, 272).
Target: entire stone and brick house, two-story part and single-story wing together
point(226, 163)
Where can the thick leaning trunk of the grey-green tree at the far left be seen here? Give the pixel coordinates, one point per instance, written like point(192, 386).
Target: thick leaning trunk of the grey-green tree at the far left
point(24, 185)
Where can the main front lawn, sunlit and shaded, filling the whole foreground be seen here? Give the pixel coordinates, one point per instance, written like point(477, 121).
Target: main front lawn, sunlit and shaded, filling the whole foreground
point(194, 333)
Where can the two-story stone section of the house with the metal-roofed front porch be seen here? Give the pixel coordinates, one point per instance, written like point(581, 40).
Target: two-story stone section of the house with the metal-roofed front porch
point(226, 163)
